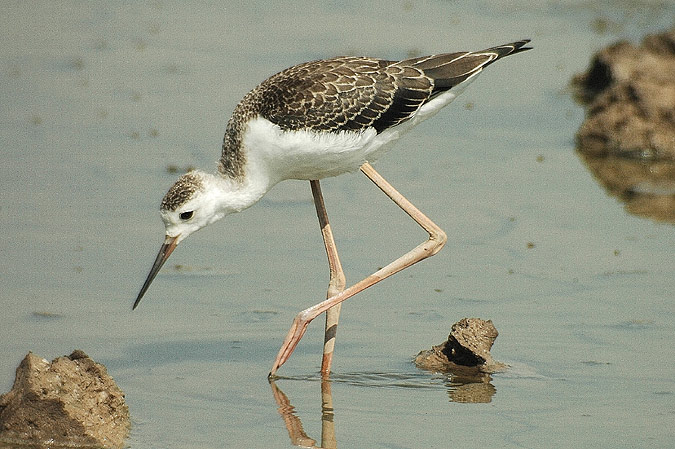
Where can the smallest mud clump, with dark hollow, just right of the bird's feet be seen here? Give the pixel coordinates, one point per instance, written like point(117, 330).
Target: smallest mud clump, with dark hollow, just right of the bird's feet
point(466, 349)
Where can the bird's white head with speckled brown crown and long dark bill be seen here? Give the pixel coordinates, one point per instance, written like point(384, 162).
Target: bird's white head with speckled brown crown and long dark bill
point(194, 201)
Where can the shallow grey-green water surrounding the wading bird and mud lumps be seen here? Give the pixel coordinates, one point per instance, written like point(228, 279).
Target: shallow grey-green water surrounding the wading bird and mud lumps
point(100, 100)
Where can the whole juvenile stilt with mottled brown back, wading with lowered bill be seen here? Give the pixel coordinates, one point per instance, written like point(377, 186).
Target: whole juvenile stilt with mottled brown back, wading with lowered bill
point(312, 121)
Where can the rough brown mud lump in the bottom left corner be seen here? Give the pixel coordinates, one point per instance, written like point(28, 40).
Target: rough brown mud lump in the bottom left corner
point(71, 401)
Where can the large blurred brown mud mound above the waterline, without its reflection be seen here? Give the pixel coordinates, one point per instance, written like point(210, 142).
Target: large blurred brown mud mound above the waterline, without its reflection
point(630, 95)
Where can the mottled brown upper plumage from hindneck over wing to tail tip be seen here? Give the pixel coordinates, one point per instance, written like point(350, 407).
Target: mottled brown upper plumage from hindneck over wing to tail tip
point(351, 94)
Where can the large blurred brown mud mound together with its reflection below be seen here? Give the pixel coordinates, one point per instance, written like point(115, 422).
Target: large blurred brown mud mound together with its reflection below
point(628, 137)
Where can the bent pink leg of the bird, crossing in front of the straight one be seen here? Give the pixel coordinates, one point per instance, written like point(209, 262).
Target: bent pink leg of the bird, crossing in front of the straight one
point(429, 247)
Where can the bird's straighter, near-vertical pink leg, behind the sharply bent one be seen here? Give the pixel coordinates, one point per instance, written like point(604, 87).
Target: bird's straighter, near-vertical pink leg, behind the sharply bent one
point(336, 284)
